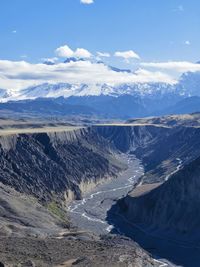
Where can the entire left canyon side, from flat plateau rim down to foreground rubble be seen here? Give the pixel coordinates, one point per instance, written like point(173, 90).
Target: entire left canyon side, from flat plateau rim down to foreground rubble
point(41, 171)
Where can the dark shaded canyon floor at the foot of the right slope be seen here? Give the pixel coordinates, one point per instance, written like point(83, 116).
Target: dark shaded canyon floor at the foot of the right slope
point(160, 248)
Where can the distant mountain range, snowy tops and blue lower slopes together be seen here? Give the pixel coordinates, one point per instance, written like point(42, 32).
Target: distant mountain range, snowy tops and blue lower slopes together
point(104, 100)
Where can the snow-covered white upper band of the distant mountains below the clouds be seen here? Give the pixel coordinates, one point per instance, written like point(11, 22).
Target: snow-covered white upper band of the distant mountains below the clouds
point(189, 85)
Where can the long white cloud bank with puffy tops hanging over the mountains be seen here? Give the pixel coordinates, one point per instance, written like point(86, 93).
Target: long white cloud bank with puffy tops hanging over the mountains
point(17, 75)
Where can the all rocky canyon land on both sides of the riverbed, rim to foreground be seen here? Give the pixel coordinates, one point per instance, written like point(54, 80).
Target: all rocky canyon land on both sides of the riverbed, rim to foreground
point(45, 167)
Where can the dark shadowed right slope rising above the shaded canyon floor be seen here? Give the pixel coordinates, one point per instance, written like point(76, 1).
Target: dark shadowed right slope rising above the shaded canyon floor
point(173, 207)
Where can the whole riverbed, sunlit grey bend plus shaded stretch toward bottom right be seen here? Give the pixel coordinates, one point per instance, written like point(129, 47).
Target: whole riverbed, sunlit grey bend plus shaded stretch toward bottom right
point(91, 212)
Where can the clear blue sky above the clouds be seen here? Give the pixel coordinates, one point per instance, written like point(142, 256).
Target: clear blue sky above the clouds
point(155, 29)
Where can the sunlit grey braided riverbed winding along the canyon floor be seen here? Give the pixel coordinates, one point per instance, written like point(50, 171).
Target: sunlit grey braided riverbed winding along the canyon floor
point(91, 212)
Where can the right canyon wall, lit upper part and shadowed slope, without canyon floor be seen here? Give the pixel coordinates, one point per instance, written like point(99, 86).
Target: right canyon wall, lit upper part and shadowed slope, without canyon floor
point(169, 208)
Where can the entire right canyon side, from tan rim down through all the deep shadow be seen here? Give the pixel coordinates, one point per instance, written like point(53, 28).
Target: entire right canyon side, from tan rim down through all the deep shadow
point(161, 213)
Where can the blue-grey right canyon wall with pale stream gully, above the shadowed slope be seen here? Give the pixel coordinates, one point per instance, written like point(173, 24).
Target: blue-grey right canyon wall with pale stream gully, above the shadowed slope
point(163, 156)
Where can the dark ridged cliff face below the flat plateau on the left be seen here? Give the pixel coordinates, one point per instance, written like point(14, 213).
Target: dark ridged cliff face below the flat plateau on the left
point(53, 165)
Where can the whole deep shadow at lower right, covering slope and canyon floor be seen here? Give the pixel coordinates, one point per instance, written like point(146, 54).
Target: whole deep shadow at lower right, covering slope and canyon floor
point(165, 221)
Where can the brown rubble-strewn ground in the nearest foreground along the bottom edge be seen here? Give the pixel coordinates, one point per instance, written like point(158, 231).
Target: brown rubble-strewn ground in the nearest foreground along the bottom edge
point(72, 251)
